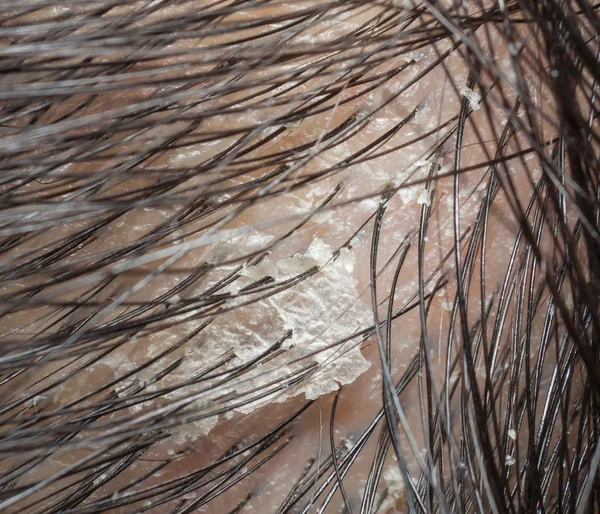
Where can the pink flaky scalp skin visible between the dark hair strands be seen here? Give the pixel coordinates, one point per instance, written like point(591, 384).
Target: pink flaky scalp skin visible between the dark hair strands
point(245, 228)
